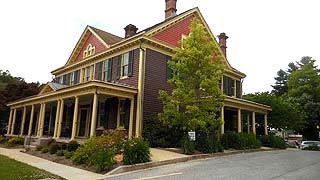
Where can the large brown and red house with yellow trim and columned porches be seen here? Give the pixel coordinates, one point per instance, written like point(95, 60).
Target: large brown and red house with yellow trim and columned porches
point(111, 82)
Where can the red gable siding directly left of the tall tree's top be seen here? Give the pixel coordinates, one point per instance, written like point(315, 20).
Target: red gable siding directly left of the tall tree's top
point(173, 34)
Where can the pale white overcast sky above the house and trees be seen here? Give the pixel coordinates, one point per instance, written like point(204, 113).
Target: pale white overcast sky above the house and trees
point(38, 36)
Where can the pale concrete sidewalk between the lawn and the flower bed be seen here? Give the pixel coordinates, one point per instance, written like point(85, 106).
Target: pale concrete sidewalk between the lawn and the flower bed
point(64, 171)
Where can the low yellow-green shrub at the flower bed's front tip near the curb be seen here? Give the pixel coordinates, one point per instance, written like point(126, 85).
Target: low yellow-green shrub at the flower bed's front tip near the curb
point(102, 160)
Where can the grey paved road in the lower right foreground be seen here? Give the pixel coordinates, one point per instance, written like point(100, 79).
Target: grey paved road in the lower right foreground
point(275, 165)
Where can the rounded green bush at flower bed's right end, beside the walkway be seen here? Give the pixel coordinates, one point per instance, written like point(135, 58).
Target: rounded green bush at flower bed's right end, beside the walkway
point(136, 150)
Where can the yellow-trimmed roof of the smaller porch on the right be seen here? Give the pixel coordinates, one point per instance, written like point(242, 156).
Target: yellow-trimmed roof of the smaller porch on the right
point(246, 105)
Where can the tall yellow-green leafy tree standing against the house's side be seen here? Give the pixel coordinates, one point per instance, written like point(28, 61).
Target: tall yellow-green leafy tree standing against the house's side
point(196, 97)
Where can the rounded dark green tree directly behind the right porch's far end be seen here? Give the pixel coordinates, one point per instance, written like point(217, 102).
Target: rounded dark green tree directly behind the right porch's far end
point(284, 115)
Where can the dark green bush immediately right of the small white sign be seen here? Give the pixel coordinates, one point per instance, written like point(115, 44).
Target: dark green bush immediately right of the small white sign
point(208, 144)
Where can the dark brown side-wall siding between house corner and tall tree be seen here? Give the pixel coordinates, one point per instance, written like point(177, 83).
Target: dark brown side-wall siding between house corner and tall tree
point(155, 80)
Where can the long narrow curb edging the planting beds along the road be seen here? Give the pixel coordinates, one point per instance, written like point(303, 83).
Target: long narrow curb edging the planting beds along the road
point(127, 168)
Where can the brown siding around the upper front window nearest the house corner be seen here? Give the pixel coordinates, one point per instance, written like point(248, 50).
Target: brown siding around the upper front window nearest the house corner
point(133, 80)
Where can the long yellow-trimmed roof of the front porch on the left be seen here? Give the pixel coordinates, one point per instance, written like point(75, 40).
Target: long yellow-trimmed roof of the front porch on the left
point(82, 89)
